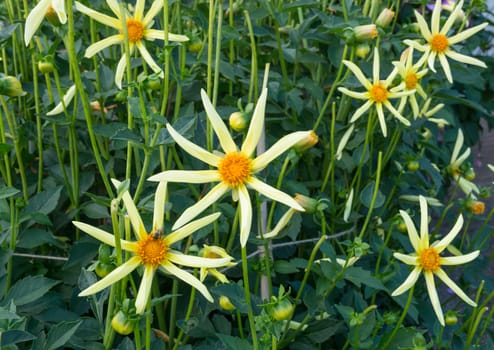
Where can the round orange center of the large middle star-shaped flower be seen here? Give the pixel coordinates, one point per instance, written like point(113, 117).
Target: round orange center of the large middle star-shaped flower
point(234, 169)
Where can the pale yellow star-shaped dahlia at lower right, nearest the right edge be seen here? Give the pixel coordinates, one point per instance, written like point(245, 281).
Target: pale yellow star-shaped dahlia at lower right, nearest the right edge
point(427, 259)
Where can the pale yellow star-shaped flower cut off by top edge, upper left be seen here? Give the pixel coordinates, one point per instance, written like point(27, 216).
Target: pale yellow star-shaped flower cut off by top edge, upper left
point(138, 29)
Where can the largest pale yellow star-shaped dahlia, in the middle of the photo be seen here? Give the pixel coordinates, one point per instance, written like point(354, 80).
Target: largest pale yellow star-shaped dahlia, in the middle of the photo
point(235, 169)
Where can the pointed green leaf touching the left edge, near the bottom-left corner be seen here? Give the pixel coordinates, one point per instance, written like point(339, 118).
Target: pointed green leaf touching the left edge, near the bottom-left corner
point(29, 289)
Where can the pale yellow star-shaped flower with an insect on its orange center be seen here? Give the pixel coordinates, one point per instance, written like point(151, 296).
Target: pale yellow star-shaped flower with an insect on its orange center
point(153, 250)
